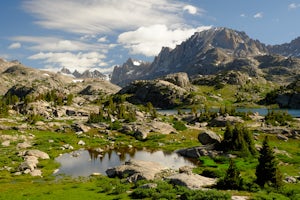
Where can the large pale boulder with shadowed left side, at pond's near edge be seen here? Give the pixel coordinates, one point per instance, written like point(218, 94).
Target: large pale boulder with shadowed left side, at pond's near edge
point(136, 170)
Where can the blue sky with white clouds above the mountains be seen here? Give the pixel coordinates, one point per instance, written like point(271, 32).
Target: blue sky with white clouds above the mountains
point(99, 34)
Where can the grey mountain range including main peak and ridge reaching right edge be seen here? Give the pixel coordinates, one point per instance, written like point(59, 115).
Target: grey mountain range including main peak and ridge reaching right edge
point(213, 51)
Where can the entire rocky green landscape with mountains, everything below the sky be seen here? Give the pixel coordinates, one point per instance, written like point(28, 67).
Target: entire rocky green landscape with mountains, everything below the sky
point(208, 82)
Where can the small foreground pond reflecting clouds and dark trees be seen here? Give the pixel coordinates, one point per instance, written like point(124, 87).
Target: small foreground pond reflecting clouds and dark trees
point(85, 162)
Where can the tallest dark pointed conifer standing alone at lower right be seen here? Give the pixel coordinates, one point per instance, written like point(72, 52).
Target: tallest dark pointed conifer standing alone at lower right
point(267, 171)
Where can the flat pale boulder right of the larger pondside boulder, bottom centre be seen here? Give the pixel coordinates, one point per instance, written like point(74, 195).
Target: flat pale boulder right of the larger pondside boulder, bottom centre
point(191, 181)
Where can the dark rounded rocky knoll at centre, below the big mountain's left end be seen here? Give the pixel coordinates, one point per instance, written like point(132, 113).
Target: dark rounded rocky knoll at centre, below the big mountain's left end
point(161, 94)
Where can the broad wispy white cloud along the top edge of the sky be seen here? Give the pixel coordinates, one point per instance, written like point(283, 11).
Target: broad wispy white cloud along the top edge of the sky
point(103, 16)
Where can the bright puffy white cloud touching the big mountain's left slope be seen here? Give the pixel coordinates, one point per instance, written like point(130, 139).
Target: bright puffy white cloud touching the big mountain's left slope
point(149, 40)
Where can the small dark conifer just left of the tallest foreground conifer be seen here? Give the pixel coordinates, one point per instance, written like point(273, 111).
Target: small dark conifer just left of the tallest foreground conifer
point(232, 179)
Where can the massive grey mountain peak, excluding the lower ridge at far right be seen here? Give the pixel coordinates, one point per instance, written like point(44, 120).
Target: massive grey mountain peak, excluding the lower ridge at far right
point(206, 52)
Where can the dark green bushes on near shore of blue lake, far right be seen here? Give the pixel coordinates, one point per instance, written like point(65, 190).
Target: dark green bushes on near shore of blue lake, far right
point(278, 118)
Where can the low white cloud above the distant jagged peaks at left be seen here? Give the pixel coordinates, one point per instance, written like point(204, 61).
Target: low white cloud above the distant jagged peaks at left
point(80, 61)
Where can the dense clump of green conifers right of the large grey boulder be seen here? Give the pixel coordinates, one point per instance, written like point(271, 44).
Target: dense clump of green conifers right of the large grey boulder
point(238, 138)
